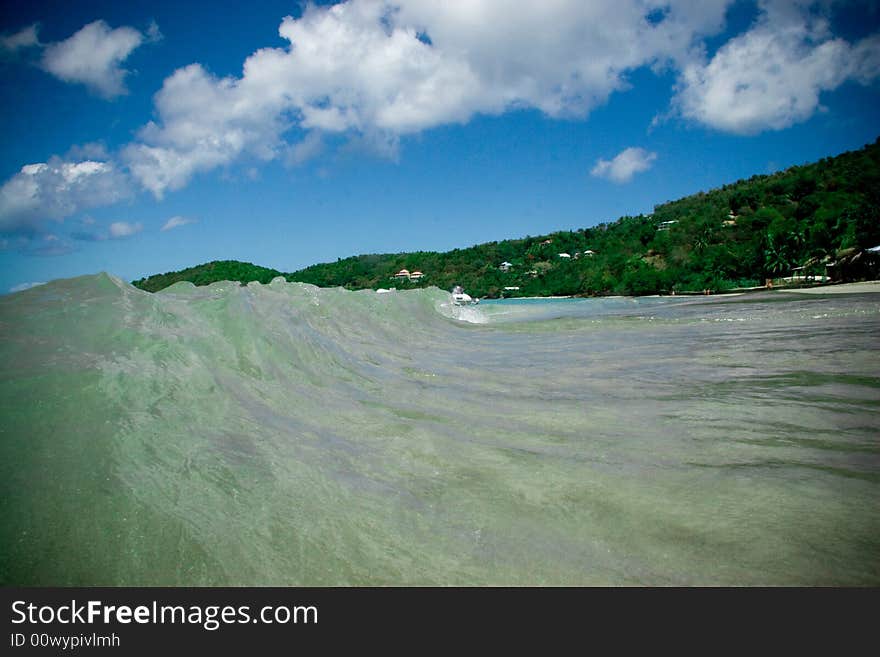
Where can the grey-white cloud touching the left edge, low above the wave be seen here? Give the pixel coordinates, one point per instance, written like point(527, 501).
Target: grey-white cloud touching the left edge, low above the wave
point(57, 189)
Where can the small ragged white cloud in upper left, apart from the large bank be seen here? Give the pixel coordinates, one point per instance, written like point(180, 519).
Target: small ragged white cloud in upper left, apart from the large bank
point(93, 56)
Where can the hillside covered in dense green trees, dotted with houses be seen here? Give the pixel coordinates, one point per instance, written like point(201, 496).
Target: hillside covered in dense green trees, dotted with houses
point(739, 235)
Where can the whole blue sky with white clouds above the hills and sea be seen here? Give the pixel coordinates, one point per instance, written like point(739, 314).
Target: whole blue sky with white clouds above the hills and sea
point(287, 134)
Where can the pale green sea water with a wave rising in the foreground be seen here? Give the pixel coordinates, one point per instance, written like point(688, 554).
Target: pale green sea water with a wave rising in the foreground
point(283, 434)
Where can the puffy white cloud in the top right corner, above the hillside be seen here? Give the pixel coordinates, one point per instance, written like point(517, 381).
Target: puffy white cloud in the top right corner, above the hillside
point(772, 76)
